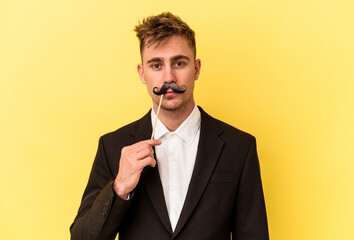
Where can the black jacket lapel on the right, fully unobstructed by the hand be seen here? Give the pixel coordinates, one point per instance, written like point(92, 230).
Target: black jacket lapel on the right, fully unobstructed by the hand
point(209, 149)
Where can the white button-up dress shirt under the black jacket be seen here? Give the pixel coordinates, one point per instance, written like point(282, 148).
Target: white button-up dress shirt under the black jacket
point(175, 160)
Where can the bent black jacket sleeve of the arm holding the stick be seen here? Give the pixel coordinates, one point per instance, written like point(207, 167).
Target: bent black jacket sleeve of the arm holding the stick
point(101, 211)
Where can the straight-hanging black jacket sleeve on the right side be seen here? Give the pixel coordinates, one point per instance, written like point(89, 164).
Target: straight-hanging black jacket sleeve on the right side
point(250, 218)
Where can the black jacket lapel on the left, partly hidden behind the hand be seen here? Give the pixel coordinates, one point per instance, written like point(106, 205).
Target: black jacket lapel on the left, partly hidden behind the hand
point(150, 177)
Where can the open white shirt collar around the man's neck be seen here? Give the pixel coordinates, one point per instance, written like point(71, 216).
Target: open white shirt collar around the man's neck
point(186, 131)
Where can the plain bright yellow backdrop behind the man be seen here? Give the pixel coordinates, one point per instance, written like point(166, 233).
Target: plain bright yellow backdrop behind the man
point(282, 70)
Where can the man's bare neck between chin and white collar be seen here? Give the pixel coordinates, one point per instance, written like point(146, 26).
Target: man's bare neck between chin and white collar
point(173, 119)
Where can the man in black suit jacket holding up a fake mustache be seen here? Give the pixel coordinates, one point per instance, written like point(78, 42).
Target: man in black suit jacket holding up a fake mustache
point(198, 179)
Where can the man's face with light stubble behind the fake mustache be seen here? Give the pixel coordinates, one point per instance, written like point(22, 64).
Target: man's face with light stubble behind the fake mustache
point(171, 61)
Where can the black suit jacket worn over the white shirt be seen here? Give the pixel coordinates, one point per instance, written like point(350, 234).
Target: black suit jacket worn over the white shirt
point(225, 193)
